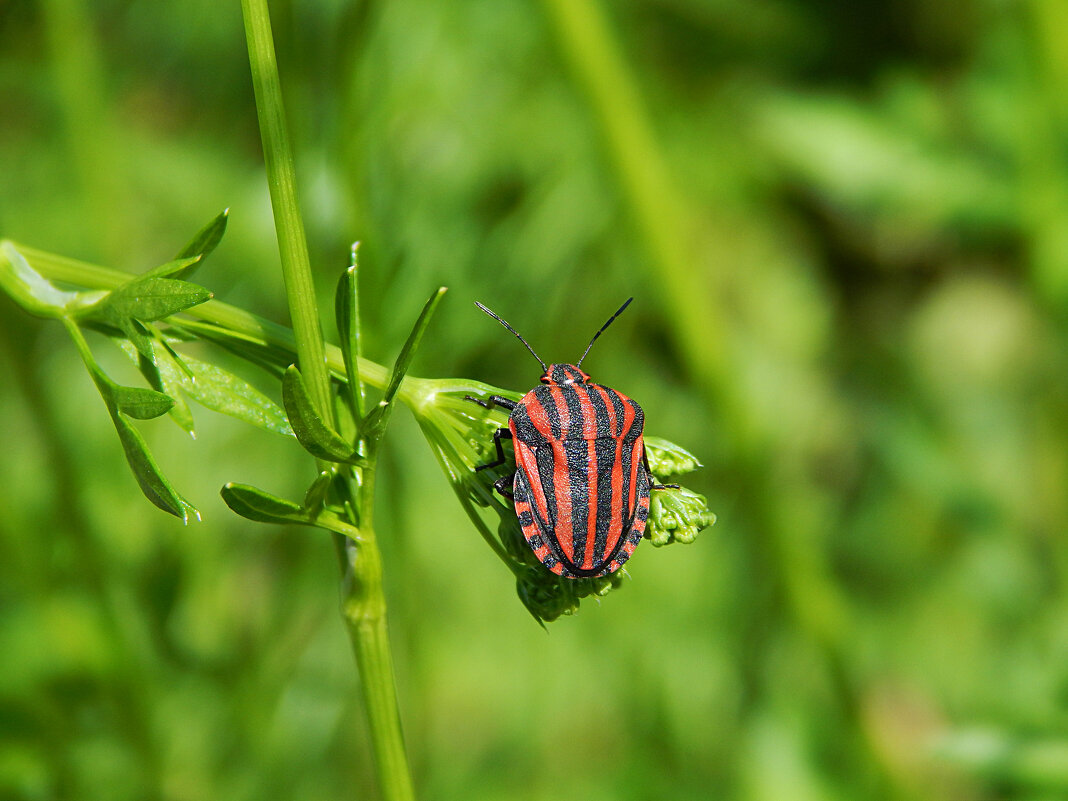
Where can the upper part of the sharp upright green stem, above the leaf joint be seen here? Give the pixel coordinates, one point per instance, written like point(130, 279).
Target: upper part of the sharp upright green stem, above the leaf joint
point(281, 178)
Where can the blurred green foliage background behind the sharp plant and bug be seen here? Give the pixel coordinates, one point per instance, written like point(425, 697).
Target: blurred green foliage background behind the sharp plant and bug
point(846, 225)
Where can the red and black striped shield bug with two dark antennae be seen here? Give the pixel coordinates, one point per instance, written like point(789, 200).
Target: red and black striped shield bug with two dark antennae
point(583, 481)
